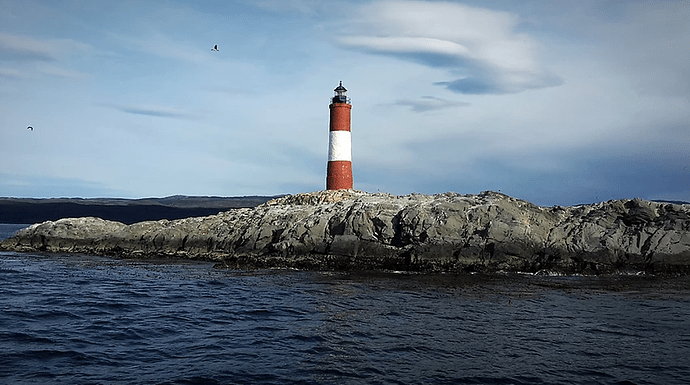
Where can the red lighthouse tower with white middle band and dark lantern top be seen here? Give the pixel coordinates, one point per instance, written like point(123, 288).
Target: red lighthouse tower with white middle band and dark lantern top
point(339, 172)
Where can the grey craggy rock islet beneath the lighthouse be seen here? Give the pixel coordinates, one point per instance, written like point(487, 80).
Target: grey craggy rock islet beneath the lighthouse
point(353, 230)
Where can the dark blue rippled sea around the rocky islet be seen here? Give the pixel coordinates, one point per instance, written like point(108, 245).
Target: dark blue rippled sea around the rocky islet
point(89, 319)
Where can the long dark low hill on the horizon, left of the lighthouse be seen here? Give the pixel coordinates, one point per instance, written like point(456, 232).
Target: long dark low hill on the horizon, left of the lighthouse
point(128, 211)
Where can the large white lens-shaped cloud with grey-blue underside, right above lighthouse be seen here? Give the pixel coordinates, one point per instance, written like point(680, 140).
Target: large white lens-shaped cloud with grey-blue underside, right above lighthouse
point(480, 44)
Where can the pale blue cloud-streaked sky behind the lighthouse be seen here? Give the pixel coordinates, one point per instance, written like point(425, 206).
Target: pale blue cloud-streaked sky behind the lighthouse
point(552, 101)
